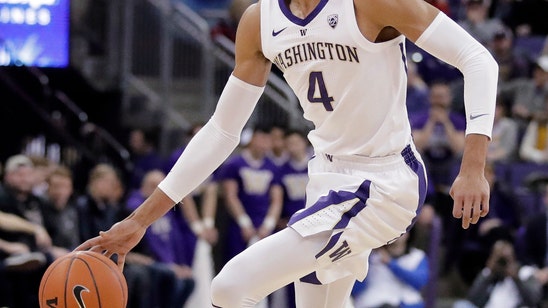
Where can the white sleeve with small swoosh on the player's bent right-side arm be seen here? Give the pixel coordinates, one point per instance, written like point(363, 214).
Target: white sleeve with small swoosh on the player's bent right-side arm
point(447, 41)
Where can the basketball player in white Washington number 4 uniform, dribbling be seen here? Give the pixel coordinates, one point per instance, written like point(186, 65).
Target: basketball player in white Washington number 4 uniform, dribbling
point(346, 61)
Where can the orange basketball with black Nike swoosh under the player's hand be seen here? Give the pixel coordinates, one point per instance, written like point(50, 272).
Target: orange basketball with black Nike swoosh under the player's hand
point(83, 279)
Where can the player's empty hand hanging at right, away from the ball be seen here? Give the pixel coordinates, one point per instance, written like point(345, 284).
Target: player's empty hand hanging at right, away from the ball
point(470, 198)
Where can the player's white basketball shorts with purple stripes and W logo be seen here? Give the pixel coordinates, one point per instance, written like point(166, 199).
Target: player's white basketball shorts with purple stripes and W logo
point(364, 202)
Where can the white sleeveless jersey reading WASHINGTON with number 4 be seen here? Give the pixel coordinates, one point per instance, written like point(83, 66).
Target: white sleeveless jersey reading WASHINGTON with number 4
point(353, 90)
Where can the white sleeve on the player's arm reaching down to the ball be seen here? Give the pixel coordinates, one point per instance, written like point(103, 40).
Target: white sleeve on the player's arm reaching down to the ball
point(209, 148)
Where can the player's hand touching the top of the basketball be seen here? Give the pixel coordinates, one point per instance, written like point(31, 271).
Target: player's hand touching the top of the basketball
point(118, 240)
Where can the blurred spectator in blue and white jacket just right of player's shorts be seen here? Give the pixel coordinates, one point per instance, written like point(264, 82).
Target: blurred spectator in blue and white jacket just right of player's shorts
point(397, 274)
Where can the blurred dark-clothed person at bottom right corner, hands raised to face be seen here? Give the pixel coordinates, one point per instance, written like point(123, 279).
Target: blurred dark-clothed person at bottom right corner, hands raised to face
point(503, 282)
